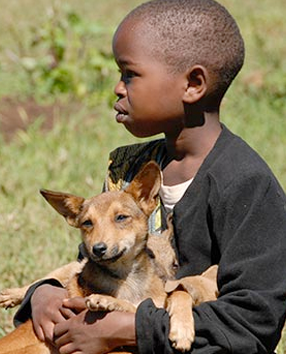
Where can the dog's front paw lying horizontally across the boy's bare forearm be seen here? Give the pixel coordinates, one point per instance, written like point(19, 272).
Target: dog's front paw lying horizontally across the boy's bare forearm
point(97, 302)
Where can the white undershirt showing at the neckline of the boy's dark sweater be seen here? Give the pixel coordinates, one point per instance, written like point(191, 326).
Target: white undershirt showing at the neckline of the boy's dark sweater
point(170, 195)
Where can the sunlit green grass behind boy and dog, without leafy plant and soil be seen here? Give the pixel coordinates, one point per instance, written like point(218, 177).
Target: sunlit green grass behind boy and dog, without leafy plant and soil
point(72, 156)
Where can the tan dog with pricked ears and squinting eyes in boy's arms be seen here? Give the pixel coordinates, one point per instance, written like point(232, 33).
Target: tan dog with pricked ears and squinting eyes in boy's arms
point(114, 227)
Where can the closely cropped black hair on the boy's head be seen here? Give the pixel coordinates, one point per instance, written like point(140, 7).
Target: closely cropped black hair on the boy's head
point(189, 32)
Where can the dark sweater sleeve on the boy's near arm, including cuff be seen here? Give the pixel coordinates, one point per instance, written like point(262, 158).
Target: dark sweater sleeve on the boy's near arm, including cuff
point(248, 225)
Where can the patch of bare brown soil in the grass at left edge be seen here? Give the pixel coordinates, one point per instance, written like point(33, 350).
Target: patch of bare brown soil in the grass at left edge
point(16, 115)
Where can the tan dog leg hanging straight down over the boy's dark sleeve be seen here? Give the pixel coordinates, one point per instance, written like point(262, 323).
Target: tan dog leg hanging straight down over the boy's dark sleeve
point(179, 305)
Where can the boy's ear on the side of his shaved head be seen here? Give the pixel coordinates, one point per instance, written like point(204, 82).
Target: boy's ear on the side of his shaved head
point(197, 86)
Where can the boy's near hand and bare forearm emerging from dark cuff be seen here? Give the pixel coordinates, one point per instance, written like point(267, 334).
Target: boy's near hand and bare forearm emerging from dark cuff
point(95, 332)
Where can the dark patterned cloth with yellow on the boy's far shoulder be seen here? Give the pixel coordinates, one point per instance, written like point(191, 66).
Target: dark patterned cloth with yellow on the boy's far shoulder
point(126, 161)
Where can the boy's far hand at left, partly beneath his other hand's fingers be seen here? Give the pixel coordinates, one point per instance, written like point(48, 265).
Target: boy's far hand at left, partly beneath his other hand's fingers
point(47, 310)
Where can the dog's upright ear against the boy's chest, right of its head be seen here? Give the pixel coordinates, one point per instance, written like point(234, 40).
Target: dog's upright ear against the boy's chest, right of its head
point(145, 187)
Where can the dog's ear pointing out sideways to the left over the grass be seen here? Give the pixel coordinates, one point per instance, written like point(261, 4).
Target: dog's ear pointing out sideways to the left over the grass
point(68, 205)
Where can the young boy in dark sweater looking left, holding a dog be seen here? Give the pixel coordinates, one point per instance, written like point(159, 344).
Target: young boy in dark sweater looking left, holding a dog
point(177, 58)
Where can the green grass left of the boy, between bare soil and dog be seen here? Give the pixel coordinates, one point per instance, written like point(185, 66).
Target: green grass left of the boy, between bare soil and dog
point(73, 158)
